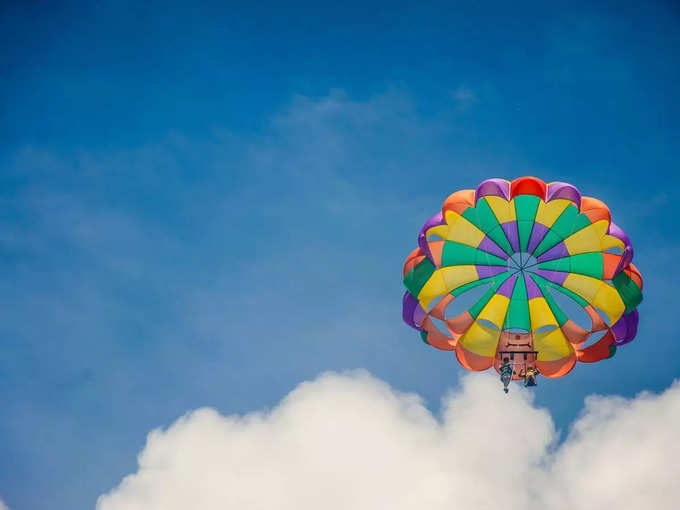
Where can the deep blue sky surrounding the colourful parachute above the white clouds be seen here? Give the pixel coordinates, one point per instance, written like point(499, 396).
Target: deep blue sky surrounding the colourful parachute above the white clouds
point(207, 205)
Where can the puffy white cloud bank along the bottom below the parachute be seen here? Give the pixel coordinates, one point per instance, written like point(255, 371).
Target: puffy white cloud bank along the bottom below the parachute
point(350, 441)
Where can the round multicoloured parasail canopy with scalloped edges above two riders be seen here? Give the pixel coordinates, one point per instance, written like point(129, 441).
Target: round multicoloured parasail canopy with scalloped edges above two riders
point(529, 243)
